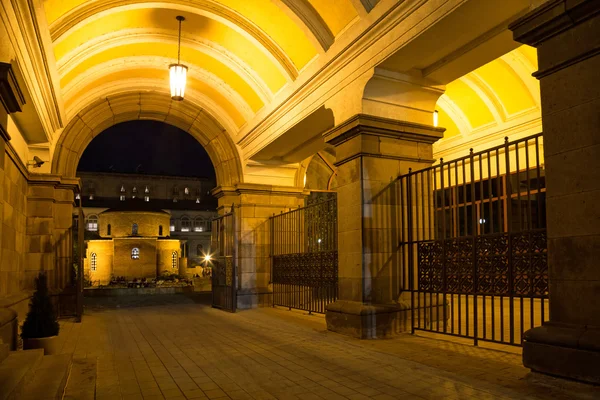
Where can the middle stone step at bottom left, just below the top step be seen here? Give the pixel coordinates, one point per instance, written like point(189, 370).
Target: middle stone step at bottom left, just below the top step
point(50, 379)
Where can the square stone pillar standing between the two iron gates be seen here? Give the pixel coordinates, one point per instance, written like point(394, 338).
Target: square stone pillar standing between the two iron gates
point(372, 152)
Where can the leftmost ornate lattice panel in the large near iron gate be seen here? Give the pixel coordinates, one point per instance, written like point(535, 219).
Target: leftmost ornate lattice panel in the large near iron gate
point(431, 266)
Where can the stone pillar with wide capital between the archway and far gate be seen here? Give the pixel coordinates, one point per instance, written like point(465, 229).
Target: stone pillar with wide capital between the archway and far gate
point(253, 205)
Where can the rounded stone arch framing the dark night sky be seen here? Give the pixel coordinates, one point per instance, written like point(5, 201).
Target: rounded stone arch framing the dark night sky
point(111, 110)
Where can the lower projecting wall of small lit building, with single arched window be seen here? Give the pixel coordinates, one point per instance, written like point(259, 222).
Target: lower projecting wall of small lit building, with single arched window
point(124, 265)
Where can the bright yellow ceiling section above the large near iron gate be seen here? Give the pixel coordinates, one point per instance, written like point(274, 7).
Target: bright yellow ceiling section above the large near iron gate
point(496, 93)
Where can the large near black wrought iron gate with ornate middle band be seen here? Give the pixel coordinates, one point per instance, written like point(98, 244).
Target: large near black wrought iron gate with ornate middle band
point(474, 246)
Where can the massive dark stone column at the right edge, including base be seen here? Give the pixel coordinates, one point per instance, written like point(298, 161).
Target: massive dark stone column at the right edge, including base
point(567, 36)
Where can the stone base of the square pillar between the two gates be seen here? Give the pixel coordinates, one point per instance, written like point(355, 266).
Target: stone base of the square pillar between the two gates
point(368, 321)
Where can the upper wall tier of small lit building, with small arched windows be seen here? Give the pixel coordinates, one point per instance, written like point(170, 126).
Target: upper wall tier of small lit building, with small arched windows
point(121, 223)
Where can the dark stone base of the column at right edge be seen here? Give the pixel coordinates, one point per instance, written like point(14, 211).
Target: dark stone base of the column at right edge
point(569, 351)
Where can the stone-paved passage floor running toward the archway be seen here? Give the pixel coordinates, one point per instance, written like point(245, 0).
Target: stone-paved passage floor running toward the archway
point(177, 347)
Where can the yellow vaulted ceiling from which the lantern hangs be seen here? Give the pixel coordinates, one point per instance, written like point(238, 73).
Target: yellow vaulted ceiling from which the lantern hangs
point(241, 53)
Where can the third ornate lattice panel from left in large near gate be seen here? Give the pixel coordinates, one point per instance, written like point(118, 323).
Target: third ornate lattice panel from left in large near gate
point(492, 264)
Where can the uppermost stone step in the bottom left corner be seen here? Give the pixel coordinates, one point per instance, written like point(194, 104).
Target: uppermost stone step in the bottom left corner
point(17, 370)
